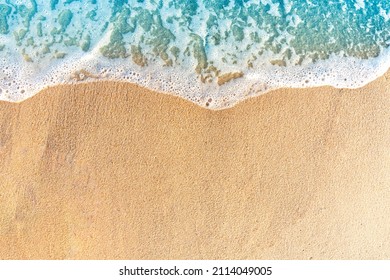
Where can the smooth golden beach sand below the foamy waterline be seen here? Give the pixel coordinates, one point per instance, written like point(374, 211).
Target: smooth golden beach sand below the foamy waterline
point(113, 171)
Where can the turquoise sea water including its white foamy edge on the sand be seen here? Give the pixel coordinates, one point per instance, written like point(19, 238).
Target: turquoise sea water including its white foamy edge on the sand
point(214, 53)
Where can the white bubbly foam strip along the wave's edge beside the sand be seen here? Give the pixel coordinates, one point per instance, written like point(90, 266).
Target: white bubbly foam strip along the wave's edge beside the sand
point(335, 71)
